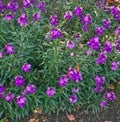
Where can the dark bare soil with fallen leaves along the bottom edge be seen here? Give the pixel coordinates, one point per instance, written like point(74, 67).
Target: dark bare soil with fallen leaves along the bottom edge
point(112, 114)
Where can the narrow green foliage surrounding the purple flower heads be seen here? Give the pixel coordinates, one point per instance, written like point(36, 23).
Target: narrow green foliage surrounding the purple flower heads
point(52, 59)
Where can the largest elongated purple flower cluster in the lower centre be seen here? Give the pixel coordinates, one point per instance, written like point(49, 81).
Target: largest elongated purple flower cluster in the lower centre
point(75, 75)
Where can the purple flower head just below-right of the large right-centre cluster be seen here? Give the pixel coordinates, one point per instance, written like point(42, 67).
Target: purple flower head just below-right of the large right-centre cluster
point(102, 58)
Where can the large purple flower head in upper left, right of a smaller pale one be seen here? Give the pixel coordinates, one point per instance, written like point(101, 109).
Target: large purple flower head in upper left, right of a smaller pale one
point(23, 20)
